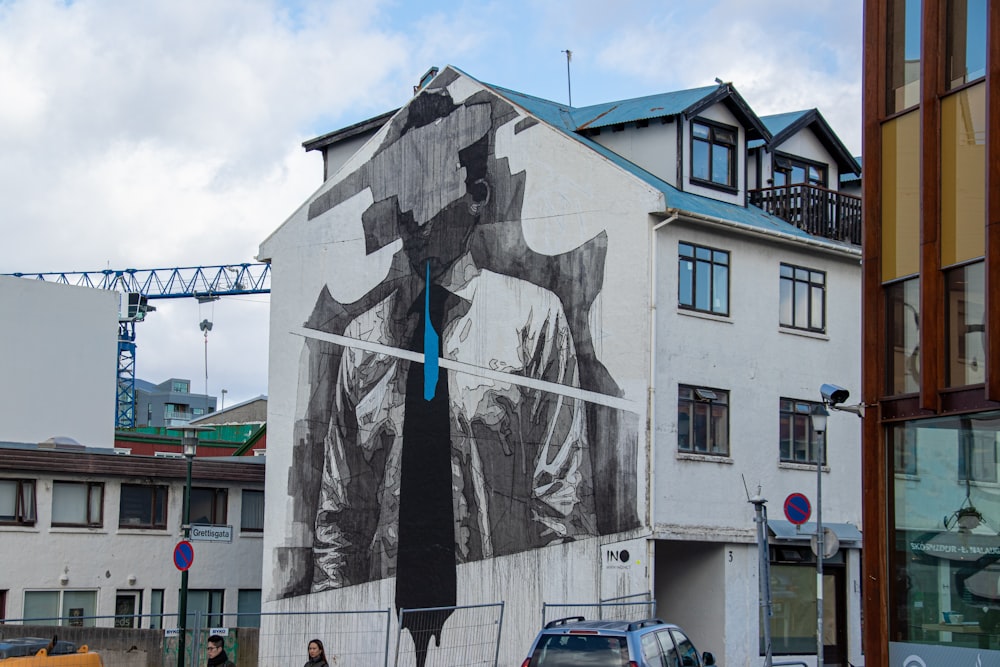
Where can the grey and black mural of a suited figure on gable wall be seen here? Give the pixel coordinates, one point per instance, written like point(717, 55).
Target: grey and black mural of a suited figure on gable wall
point(458, 410)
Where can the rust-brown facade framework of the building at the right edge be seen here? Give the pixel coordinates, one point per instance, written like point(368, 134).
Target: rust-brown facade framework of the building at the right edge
point(934, 398)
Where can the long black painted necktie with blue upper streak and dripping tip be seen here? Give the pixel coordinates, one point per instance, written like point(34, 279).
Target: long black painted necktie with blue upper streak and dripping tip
point(425, 557)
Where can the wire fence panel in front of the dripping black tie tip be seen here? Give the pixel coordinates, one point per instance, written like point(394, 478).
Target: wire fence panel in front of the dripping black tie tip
point(450, 636)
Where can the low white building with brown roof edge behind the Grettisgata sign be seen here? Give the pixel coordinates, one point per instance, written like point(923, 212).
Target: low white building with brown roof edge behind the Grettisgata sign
point(87, 533)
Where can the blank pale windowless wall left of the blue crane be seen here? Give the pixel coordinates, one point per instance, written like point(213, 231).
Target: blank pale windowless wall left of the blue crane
point(59, 361)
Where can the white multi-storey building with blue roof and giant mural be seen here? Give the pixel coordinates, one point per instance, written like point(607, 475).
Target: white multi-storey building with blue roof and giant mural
point(623, 347)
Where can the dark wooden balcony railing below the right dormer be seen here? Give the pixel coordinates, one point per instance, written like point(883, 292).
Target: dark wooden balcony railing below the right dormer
point(815, 210)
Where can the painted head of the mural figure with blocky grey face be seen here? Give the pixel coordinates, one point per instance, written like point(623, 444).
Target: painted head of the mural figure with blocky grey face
point(440, 153)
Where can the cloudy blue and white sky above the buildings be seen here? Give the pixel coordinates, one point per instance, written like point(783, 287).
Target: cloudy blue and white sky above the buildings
point(168, 133)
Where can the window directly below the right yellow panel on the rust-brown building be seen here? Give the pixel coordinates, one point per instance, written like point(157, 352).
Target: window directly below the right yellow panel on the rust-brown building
point(965, 291)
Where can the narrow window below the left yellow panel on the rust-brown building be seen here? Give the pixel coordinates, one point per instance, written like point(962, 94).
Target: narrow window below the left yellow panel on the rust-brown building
point(903, 337)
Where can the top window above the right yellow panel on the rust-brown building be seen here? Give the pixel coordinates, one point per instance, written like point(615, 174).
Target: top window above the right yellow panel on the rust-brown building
point(965, 51)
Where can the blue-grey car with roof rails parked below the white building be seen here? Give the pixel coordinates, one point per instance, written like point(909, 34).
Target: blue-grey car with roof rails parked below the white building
point(577, 642)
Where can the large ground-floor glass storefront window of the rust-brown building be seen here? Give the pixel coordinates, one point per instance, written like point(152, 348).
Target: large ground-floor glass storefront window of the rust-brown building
point(945, 548)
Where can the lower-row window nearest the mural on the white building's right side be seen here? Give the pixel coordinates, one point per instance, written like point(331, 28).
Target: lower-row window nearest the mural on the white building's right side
point(703, 420)
